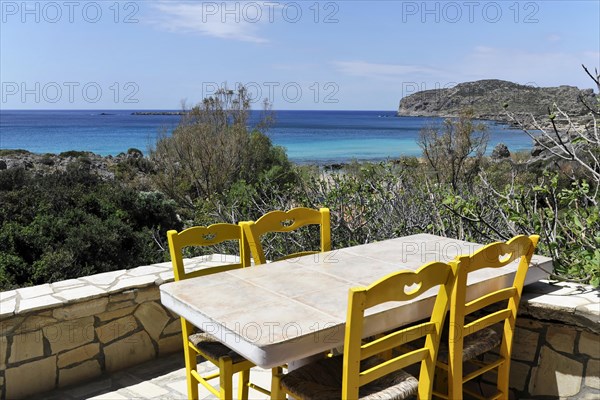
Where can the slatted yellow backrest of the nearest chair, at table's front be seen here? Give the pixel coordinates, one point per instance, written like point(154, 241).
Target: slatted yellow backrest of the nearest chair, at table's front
point(400, 286)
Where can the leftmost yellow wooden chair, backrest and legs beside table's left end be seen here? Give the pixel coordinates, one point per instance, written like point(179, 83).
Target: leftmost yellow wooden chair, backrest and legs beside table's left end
point(196, 342)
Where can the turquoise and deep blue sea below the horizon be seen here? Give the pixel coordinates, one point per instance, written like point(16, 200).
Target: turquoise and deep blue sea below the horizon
point(309, 136)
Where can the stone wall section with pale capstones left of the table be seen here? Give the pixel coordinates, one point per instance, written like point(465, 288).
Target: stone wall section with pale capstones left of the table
point(55, 335)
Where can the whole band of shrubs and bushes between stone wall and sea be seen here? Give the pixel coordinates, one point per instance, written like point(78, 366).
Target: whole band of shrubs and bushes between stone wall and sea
point(59, 222)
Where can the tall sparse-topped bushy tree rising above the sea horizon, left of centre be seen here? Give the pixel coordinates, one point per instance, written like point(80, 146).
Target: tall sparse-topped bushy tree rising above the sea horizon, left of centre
point(212, 148)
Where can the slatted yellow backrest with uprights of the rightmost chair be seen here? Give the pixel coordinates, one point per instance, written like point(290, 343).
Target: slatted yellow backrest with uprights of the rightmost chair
point(494, 255)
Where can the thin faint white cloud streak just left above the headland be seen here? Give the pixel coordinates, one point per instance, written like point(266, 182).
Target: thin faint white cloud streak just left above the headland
point(373, 70)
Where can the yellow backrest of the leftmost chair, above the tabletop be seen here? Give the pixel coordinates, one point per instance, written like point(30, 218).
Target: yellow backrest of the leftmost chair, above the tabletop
point(206, 236)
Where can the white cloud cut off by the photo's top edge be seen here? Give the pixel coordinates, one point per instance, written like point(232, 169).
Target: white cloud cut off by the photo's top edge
point(222, 20)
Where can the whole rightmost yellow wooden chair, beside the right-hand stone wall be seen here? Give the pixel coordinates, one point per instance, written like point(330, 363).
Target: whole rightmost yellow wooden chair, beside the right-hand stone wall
point(471, 334)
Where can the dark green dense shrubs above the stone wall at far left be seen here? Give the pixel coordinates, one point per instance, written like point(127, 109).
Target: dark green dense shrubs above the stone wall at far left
point(70, 224)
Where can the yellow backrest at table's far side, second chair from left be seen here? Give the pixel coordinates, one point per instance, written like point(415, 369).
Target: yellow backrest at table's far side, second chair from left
point(287, 221)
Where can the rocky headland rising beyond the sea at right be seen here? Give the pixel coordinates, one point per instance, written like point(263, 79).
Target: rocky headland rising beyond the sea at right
point(523, 106)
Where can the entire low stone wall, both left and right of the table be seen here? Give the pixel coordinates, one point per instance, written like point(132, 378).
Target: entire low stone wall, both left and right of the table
point(58, 334)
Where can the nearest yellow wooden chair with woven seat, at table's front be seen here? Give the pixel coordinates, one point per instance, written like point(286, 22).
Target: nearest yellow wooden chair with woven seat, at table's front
point(360, 372)
